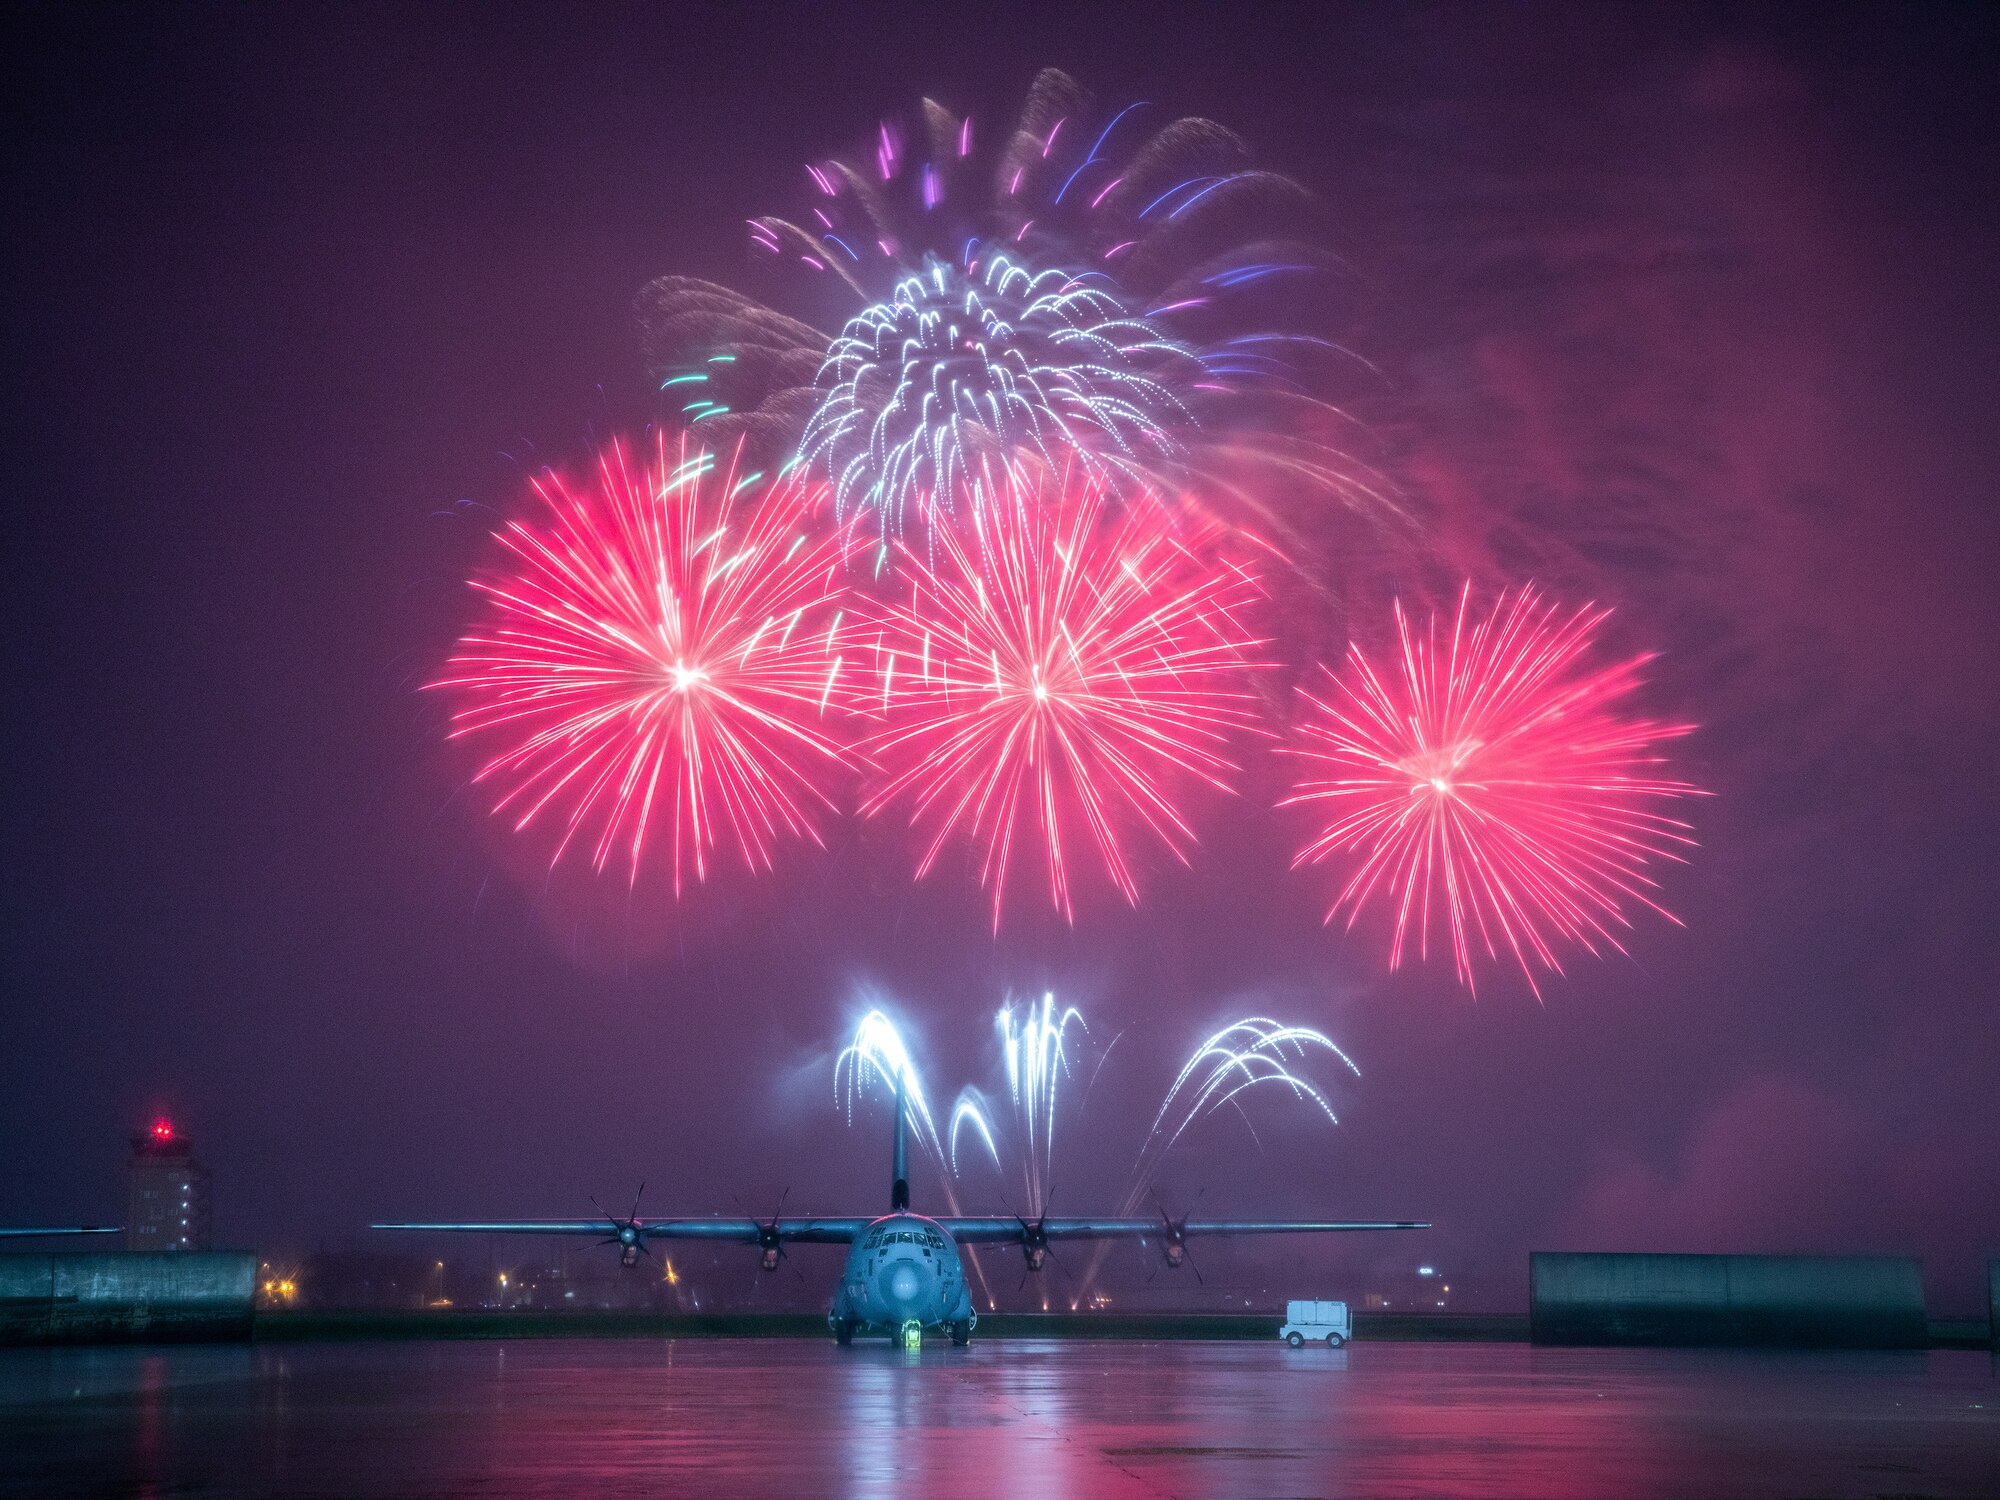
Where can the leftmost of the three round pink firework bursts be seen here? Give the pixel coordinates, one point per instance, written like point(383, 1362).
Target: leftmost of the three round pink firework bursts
point(661, 653)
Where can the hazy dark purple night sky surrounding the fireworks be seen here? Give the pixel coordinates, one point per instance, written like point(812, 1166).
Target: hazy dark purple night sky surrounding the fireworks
point(1685, 307)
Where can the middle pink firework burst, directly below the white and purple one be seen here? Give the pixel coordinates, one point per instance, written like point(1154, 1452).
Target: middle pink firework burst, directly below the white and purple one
point(1061, 673)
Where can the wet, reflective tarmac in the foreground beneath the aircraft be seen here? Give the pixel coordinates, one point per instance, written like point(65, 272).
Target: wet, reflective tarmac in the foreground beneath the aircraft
point(1027, 1419)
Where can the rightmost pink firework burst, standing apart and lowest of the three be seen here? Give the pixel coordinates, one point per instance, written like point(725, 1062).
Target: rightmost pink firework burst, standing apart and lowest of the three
point(1493, 783)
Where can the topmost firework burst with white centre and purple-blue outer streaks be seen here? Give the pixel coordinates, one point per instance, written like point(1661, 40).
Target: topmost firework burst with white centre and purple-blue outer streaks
point(1137, 295)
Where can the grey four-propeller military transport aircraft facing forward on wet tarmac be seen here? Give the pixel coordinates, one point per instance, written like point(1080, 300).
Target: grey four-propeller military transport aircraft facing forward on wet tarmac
point(903, 1273)
